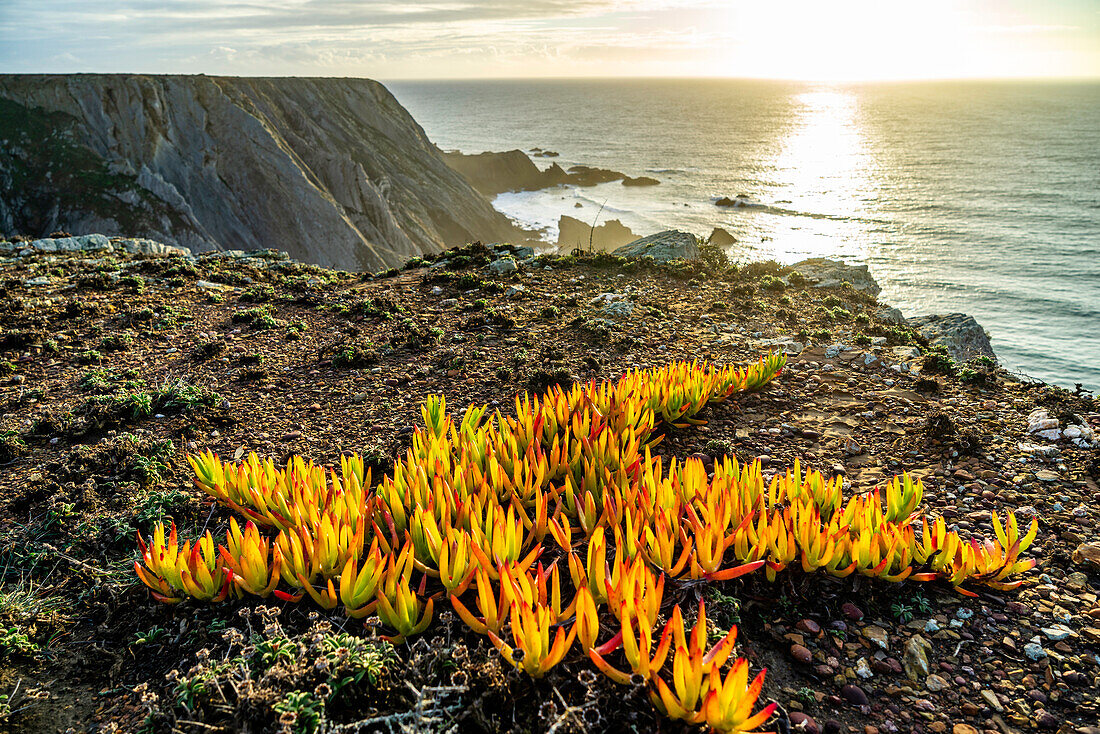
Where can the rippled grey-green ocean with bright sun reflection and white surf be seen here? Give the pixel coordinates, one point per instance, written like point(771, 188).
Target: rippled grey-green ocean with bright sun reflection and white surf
point(982, 198)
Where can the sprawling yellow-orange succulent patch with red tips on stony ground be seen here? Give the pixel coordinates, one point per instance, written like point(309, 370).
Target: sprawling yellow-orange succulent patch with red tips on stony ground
point(476, 500)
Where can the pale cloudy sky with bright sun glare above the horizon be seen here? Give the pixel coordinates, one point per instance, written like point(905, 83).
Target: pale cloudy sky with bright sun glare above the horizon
point(818, 40)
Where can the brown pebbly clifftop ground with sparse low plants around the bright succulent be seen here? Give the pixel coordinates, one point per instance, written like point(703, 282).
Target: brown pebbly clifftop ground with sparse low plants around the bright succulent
point(117, 363)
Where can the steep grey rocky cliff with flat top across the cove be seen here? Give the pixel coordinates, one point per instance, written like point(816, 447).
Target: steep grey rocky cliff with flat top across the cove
point(333, 171)
